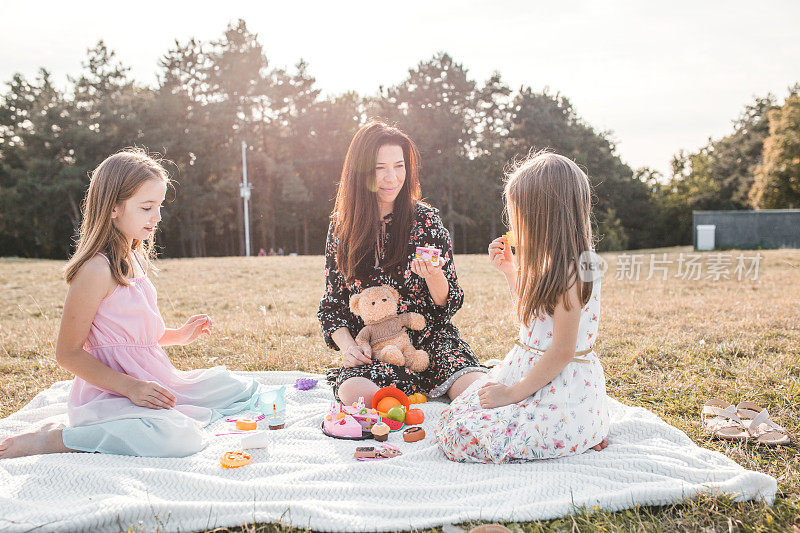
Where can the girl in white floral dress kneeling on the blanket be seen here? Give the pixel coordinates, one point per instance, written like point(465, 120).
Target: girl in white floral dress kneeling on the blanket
point(548, 397)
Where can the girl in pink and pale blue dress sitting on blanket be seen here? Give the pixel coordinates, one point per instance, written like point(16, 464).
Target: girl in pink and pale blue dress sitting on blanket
point(127, 397)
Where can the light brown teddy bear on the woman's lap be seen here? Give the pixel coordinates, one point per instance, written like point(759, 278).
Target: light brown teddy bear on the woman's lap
point(385, 330)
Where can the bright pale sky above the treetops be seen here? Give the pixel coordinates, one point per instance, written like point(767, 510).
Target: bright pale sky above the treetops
point(660, 78)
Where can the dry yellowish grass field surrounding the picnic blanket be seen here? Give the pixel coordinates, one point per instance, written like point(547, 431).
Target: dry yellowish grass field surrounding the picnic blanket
point(666, 345)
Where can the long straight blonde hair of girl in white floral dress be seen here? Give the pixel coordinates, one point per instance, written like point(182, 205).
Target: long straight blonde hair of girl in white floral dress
point(548, 198)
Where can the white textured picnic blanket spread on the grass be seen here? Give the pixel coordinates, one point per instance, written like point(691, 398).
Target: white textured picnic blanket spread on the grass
point(308, 480)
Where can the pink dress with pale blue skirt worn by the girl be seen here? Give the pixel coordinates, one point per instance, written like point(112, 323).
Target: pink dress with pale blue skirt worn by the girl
point(124, 336)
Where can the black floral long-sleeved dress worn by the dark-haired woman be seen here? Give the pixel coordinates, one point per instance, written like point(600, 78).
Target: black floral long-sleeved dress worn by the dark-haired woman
point(450, 356)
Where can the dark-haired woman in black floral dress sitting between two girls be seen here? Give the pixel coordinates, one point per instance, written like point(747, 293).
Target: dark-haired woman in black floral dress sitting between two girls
point(377, 223)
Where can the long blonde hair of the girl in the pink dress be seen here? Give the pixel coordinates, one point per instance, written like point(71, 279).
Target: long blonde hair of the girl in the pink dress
point(114, 180)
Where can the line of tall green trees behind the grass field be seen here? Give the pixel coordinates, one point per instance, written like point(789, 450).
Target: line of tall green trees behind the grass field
point(211, 96)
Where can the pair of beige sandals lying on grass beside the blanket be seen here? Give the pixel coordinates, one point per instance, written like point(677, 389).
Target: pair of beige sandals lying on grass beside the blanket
point(741, 422)
